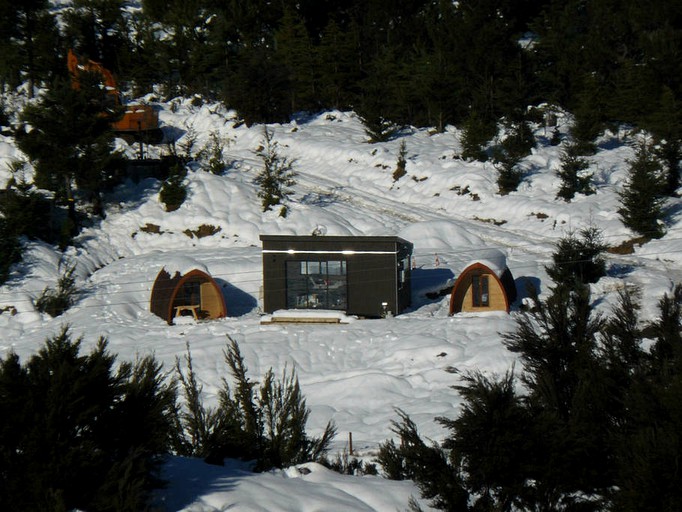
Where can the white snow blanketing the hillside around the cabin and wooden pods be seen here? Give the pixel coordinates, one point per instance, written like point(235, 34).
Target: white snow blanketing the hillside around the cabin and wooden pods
point(356, 372)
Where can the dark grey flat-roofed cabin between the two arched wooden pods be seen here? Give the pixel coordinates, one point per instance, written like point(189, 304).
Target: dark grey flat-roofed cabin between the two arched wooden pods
point(367, 276)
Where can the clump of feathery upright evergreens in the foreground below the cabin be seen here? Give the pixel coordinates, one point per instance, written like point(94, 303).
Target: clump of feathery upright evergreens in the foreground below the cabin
point(265, 422)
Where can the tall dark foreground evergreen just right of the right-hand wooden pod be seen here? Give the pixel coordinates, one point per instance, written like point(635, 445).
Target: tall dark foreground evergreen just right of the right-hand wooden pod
point(570, 399)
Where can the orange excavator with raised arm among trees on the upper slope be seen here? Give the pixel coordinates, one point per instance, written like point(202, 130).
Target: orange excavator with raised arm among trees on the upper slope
point(140, 123)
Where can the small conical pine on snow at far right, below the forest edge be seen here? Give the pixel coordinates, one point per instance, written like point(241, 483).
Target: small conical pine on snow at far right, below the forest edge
point(641, 199)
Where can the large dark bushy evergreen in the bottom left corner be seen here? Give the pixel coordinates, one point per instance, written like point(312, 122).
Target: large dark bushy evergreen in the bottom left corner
point(79, 431)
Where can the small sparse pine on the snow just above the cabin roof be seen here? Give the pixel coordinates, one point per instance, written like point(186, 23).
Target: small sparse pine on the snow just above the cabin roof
point(277, 174)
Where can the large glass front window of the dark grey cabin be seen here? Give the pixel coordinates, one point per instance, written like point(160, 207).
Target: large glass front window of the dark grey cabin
point(316, 285)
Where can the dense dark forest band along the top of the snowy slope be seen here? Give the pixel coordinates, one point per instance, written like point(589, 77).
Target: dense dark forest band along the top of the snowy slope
point(416, 62)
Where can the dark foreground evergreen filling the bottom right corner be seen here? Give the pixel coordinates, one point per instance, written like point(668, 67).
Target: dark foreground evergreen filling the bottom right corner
point(649, 443)
